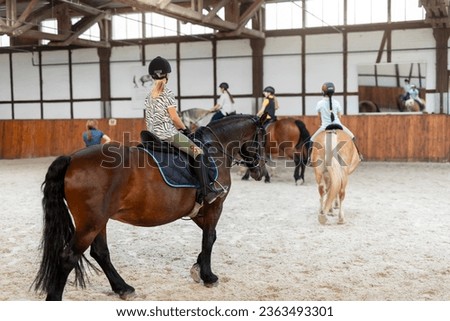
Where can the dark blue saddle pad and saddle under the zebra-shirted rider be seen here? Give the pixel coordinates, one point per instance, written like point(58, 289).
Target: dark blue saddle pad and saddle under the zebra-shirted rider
point(173, 164)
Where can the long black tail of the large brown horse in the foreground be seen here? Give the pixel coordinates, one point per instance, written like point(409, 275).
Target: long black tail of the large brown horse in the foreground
point(58, 229)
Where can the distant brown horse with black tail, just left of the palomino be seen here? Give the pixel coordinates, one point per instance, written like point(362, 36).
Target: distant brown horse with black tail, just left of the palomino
point(287, 138)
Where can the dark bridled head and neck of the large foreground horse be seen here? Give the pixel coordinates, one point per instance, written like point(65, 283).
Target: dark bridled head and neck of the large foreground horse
point(242, 141)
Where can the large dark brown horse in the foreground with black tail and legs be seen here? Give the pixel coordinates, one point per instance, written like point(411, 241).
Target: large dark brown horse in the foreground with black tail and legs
point(124, 183)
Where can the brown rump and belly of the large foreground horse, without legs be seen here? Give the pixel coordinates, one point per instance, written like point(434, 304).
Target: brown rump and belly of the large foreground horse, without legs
point(124, 184)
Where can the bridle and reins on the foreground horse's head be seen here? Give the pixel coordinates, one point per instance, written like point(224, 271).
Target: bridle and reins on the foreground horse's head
point(250, 162)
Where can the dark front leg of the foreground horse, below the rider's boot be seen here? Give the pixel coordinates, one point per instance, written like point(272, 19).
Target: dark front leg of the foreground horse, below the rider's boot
point(202, 269)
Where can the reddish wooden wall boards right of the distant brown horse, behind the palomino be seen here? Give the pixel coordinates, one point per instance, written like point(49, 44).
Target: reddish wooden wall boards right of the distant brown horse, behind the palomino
point(419, 137)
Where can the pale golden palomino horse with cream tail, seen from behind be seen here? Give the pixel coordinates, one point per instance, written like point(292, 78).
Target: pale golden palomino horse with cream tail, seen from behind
point(334, 157)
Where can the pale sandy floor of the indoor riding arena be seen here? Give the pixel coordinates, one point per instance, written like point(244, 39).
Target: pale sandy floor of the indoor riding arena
point(270, 246)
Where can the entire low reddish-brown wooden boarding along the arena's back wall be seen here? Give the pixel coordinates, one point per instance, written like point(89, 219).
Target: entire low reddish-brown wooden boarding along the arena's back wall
point(381, 137)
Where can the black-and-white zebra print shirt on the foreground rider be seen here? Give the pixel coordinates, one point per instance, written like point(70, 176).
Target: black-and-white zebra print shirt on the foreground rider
point(157, 116)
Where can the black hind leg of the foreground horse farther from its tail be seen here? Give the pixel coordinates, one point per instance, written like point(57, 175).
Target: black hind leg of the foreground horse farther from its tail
point(100, 252)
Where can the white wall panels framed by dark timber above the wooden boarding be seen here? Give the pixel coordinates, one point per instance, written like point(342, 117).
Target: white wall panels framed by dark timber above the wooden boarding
point(282, 69)
